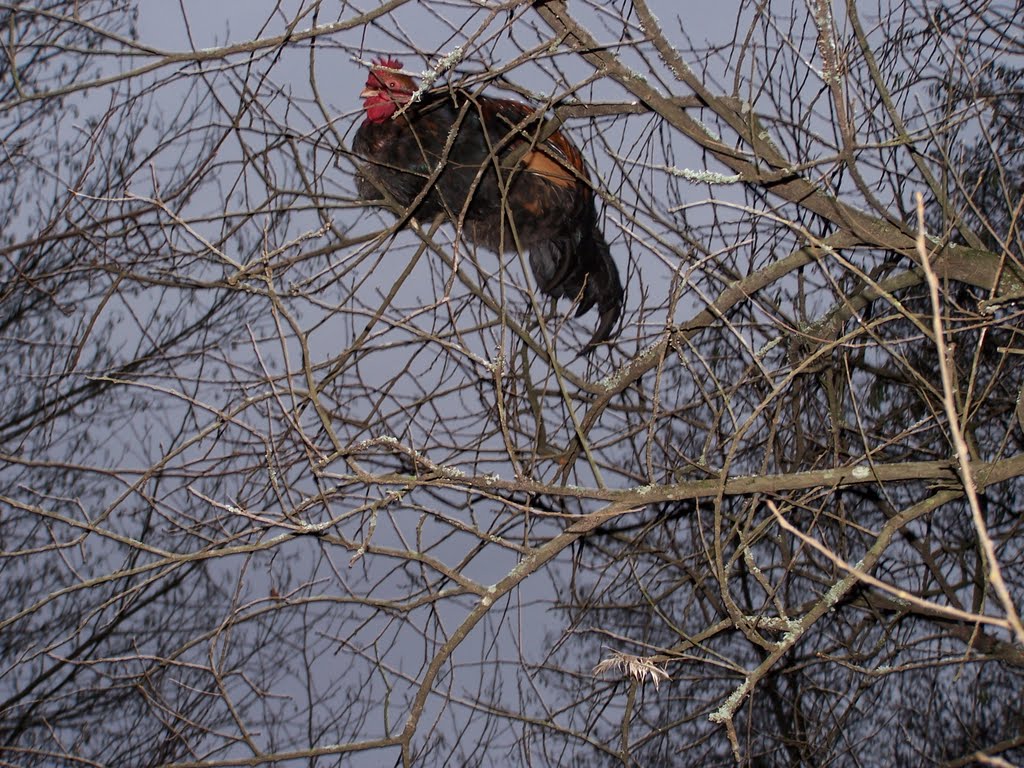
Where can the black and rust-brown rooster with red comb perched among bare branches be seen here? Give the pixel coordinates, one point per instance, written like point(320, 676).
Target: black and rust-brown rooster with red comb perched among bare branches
point(493, 169)
